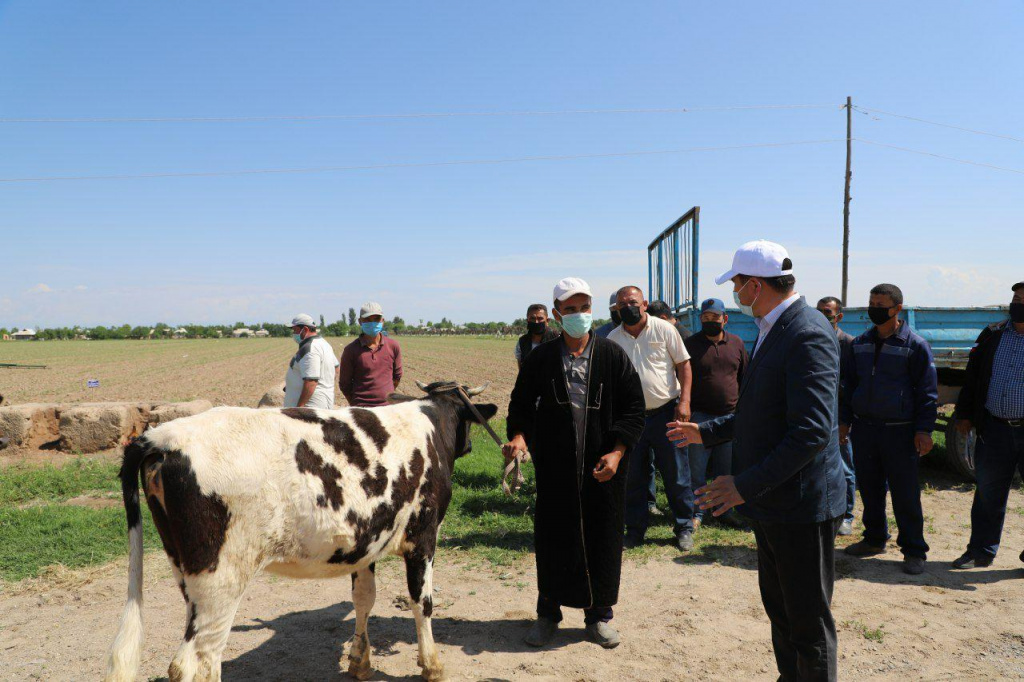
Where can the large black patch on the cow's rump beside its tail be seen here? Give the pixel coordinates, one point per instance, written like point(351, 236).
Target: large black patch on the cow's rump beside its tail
point(193, 527)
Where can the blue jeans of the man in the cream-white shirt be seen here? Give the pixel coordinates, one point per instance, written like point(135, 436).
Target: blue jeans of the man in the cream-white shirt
point(675, 468)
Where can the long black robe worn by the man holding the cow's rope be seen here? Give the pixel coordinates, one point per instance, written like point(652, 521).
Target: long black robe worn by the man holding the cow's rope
point(578, 524)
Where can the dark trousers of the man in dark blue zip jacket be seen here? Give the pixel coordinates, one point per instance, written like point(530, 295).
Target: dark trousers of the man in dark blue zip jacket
point(884, 455)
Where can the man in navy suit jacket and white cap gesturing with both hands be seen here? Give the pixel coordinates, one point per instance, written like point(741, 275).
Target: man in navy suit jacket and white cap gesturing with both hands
point(788, 473)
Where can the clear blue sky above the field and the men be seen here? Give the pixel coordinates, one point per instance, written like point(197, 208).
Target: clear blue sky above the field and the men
point(482, 242)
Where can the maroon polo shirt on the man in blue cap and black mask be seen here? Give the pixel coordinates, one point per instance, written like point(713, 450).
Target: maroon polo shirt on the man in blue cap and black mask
point(718, 369)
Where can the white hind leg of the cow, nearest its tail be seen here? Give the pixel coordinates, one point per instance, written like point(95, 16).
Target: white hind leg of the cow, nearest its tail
point(212, 600)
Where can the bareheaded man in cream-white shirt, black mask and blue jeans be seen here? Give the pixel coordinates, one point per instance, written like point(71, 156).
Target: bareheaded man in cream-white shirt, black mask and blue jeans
point(662, 361)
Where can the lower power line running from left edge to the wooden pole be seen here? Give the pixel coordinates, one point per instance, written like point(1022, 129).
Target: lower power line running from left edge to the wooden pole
point(468, 162)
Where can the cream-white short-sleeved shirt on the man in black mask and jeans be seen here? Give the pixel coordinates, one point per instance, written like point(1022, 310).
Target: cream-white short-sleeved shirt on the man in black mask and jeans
point(655, 354)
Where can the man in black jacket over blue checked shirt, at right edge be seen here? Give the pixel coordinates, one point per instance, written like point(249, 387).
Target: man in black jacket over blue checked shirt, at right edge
point(993, 403)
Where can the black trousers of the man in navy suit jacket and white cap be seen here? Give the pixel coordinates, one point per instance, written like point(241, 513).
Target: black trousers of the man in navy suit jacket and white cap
point(796, 573)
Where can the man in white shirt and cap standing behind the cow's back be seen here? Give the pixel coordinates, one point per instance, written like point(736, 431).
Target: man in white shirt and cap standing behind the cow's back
point(313, 373)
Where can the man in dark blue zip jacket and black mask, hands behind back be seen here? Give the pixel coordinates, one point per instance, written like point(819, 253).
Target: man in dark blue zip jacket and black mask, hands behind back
point(890, 396)
